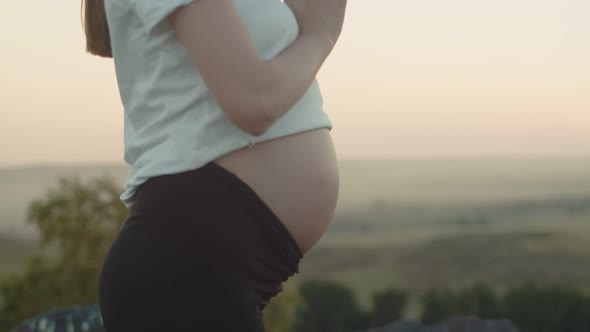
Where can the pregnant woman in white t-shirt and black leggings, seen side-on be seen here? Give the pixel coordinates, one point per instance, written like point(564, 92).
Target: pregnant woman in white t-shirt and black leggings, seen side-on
point(233, 175)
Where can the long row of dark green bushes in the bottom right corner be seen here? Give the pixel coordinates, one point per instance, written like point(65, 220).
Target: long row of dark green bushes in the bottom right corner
point(531, 308)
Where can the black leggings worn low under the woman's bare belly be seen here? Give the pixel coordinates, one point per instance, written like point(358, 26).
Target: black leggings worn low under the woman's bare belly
point(199, 251)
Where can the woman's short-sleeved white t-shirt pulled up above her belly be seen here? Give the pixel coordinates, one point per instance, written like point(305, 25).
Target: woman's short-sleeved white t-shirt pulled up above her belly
point(171, 122)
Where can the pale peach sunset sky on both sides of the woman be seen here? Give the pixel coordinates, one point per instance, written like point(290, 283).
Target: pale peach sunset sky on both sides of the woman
point(407, 79)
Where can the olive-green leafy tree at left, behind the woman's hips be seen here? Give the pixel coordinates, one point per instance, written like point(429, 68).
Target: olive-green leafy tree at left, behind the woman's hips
point(77, 223)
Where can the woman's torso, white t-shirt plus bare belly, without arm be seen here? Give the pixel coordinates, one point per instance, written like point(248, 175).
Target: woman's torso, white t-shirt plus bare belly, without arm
point(172, 127)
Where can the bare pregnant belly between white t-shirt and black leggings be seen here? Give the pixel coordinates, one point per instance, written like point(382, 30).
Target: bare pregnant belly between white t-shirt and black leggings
point(296, 176)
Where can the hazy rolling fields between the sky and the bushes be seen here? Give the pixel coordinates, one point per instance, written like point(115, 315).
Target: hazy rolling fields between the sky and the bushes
point(407, 224)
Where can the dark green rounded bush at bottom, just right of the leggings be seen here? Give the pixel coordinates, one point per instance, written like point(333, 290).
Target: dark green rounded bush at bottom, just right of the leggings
point(328, 307)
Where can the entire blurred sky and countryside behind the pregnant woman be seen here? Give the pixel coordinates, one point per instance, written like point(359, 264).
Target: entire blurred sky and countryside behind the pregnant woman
point(463, 134)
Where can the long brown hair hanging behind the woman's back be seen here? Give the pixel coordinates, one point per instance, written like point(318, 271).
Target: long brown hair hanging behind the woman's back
point(96, 28)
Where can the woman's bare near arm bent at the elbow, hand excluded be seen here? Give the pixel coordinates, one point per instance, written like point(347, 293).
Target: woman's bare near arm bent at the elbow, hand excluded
point(253, 93)
